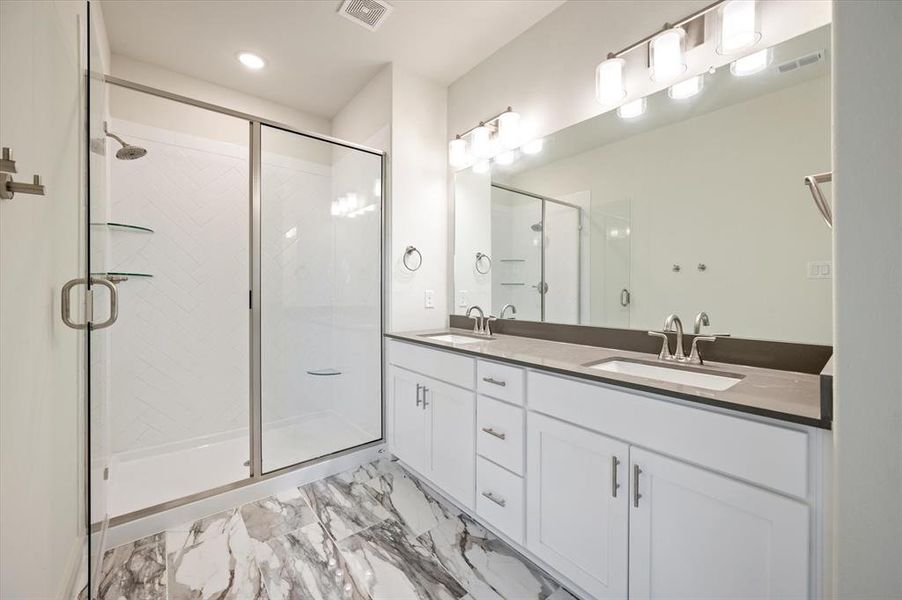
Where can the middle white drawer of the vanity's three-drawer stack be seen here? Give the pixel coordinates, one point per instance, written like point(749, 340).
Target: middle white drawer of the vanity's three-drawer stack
point(500, 433)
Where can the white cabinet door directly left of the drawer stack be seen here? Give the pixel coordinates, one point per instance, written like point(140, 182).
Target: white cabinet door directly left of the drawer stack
point(452, 411)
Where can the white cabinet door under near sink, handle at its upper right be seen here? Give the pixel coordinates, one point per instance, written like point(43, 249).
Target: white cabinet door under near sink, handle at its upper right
point(577, 504)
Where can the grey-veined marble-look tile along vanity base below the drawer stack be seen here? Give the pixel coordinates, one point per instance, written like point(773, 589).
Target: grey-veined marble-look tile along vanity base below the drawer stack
point(486, 566)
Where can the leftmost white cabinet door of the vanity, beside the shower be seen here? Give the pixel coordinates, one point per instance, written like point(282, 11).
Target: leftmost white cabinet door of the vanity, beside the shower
point(409, 423)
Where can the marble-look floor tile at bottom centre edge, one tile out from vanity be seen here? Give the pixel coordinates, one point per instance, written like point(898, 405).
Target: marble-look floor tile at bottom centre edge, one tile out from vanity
point(388, 563)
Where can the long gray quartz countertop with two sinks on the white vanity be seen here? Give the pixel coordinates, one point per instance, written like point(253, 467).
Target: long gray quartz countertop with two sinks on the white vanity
point(784, 395)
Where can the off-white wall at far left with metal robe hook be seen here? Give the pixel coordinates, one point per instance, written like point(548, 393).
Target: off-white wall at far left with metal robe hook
point(41, 401)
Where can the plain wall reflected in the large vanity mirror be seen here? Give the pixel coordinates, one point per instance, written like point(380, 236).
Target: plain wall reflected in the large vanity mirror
point(755, 235)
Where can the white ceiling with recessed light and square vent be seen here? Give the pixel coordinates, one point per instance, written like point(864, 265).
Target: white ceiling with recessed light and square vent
point(317, 60)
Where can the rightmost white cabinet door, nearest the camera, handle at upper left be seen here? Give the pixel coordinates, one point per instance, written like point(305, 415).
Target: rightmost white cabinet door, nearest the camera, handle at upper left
point(698, 534)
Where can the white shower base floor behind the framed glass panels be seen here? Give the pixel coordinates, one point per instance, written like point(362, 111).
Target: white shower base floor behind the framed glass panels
point(146, 478)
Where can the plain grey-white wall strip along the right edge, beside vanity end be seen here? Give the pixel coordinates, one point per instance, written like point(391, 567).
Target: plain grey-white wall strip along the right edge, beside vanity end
point(868, 290)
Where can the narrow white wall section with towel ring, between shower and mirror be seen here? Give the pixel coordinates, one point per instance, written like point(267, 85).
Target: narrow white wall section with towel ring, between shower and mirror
point(419, 168)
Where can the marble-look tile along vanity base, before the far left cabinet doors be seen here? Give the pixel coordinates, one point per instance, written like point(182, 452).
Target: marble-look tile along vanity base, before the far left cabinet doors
point(408, 500)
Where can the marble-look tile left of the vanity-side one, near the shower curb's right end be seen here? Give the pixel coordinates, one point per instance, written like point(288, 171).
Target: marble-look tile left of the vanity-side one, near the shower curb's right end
point(344, 508)
